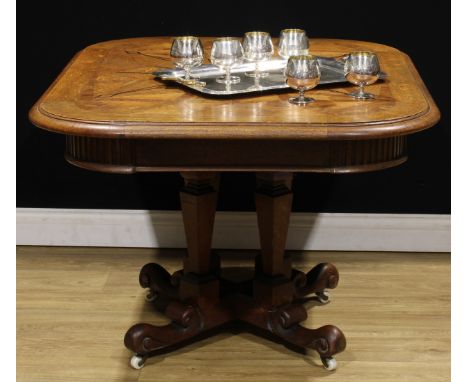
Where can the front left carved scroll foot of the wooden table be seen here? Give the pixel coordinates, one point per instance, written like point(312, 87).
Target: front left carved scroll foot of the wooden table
point(145, 338)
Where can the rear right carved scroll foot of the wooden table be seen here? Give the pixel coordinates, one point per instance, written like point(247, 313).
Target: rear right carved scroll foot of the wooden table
point(323, 276)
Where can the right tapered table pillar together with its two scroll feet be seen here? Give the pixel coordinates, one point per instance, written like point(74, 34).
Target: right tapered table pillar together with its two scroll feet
point(277, 287)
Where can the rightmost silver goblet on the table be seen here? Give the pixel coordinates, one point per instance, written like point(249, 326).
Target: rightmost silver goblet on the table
point(362, 68)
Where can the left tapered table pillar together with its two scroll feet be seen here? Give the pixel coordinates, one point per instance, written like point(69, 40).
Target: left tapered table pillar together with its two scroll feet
point(189, 297)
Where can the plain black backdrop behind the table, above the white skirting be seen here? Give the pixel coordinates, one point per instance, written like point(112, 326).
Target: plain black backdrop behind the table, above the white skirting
point(50, 32)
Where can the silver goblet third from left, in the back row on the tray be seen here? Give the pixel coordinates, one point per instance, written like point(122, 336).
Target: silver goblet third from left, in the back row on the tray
point(258, 47)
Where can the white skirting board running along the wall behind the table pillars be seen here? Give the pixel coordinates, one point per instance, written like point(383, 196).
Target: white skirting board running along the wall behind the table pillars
point(236, 230)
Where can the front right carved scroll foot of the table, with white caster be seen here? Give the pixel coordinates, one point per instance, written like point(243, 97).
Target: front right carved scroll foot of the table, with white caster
point(327, 340)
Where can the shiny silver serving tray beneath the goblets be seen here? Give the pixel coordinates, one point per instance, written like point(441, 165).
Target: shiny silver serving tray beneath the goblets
point(331, 72)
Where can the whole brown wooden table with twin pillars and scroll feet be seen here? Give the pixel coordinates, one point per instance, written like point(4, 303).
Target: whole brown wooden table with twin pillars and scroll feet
point(117, 118)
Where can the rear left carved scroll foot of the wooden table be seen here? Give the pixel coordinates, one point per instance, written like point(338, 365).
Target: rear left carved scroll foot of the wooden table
point(159, 282)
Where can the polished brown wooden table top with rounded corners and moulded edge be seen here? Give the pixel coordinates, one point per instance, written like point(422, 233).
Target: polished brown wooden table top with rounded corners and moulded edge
point(108, 91)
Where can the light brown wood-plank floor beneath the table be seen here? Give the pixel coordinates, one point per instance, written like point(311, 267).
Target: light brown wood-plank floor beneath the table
point(74, 306)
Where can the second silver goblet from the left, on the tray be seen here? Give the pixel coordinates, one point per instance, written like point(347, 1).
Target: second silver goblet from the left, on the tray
point(225, 53)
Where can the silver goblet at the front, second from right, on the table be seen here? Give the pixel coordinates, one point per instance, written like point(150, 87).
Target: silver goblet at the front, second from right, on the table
point(302, 73)
